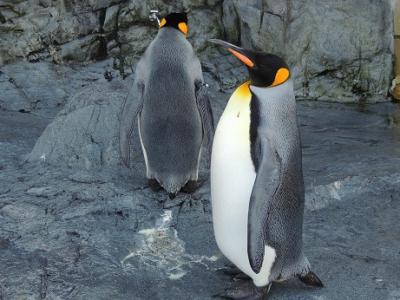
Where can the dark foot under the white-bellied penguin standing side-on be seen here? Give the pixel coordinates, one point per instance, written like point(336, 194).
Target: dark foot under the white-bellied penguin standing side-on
point(245, 292)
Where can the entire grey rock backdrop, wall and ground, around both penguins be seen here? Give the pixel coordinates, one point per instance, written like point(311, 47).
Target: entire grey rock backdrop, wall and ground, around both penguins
point(76, 224)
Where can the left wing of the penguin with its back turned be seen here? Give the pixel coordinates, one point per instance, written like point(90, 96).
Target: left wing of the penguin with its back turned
point(132, 107)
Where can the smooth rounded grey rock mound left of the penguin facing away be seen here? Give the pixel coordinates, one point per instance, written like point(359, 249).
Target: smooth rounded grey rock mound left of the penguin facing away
point(85, 132)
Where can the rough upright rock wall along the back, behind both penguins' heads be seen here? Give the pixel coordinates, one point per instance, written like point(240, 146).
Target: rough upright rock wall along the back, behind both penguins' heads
point(337, 49)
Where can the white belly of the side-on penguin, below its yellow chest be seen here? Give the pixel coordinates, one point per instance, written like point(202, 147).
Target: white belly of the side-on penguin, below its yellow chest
point(232, 180)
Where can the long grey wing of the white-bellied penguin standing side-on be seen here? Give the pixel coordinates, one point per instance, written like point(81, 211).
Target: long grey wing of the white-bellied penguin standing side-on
point(264, 188)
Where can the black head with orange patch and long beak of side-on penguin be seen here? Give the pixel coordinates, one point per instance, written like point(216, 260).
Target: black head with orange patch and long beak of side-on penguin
point(265, 70)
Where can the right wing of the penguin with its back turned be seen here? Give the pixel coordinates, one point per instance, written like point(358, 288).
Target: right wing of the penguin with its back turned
point(207, 120)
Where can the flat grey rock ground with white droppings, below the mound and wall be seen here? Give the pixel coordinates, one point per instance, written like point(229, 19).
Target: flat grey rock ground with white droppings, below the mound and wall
point(77, 234)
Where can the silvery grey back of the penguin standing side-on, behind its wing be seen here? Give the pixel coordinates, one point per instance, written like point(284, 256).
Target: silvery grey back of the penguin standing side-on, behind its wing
point(278, 121)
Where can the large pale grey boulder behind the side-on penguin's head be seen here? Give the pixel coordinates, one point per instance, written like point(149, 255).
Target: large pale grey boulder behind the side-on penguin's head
point(338, 50)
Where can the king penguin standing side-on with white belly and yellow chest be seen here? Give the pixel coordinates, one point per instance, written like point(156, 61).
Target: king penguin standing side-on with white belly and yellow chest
point(257, 187)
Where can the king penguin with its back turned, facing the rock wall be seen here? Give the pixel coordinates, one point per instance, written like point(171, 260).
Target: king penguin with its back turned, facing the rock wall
point(168, 103)
